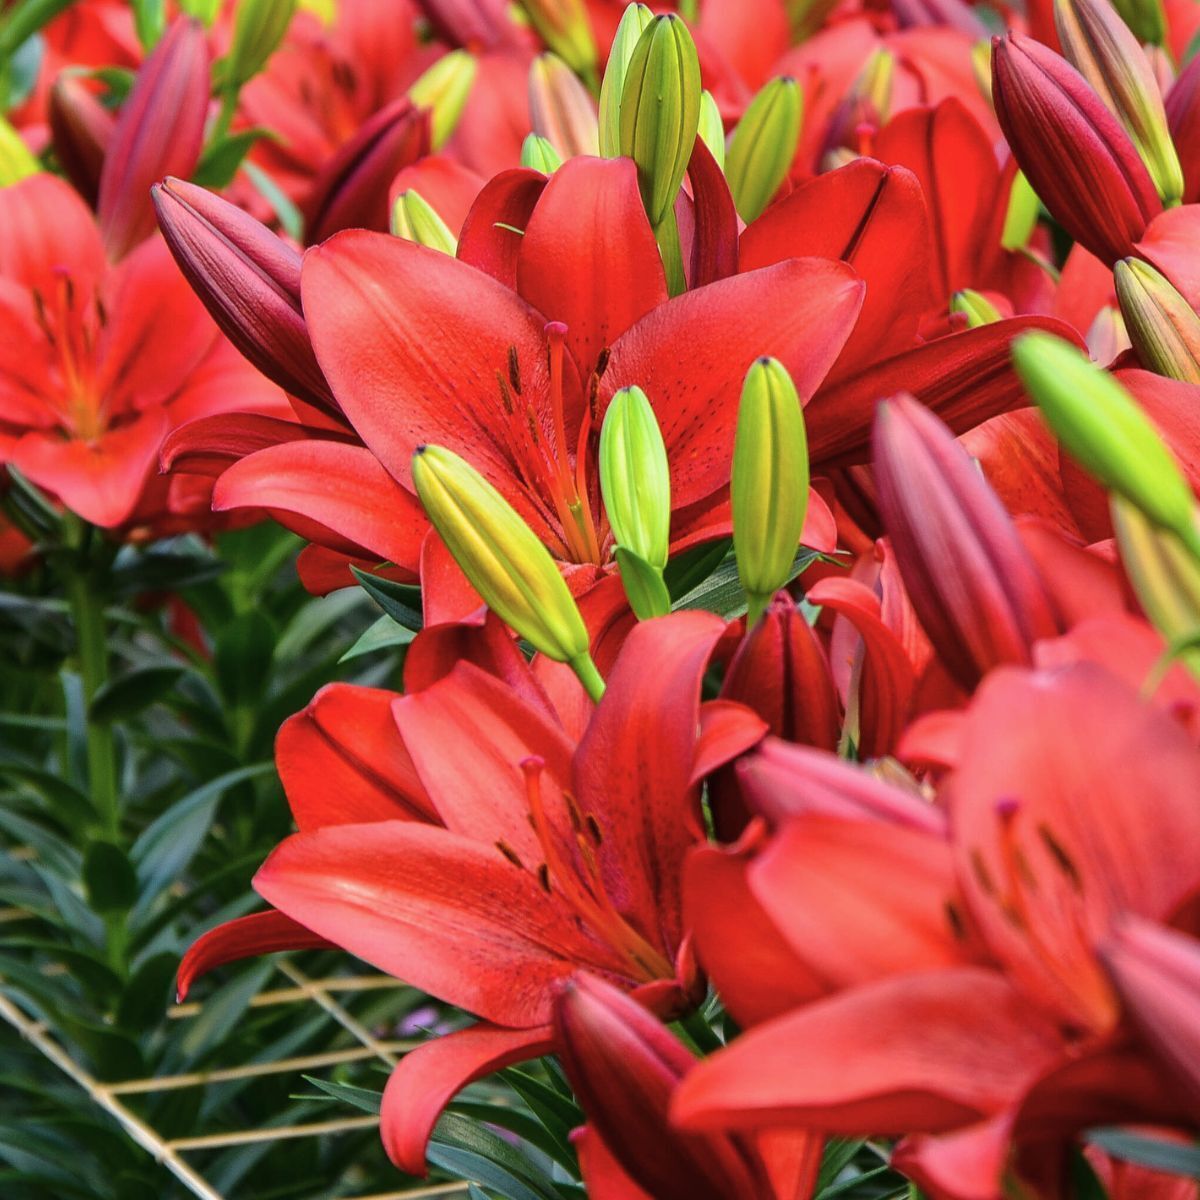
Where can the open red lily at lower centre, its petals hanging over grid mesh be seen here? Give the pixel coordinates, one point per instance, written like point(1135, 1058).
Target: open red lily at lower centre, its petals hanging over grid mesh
point(513, 843)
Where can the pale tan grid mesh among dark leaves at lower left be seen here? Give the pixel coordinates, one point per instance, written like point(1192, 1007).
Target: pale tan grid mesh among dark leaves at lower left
point(171, 1153)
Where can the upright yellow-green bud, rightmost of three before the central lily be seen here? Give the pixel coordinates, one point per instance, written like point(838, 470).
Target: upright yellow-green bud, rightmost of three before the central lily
point(770, 489)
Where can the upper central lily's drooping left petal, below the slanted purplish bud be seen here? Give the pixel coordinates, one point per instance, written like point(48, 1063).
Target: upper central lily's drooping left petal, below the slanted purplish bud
point(340, 488)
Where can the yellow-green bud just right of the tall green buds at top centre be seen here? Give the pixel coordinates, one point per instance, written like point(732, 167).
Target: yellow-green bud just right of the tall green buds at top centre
point(764, 146)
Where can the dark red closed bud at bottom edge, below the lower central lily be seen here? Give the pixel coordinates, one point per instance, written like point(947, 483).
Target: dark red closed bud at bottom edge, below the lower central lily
point(625, 1069)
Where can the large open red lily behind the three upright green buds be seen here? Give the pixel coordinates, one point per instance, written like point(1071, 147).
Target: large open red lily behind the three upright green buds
point(517, 377)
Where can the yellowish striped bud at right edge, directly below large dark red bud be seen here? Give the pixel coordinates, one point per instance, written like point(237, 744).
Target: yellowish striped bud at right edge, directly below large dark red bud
point(1163, 328)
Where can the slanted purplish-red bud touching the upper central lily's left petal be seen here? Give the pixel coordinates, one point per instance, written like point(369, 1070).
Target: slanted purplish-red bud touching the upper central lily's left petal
point(249, 280)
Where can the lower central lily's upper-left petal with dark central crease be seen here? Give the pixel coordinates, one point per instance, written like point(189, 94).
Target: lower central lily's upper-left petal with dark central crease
point(343, 761)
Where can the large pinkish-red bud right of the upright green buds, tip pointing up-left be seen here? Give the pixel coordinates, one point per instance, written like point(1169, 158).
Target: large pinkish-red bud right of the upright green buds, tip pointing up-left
point(973, 585)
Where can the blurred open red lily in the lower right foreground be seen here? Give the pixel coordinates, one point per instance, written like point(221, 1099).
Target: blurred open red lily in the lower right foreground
point(995, 1029)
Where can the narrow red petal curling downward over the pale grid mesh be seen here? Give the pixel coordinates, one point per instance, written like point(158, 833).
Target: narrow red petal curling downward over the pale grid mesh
point(430, 1077)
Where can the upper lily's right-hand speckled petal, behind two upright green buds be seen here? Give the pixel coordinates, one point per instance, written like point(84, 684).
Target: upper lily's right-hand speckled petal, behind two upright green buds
point(692, 357)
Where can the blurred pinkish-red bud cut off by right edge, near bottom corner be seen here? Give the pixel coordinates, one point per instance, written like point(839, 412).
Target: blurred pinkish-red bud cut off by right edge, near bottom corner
point(1157, 975)
